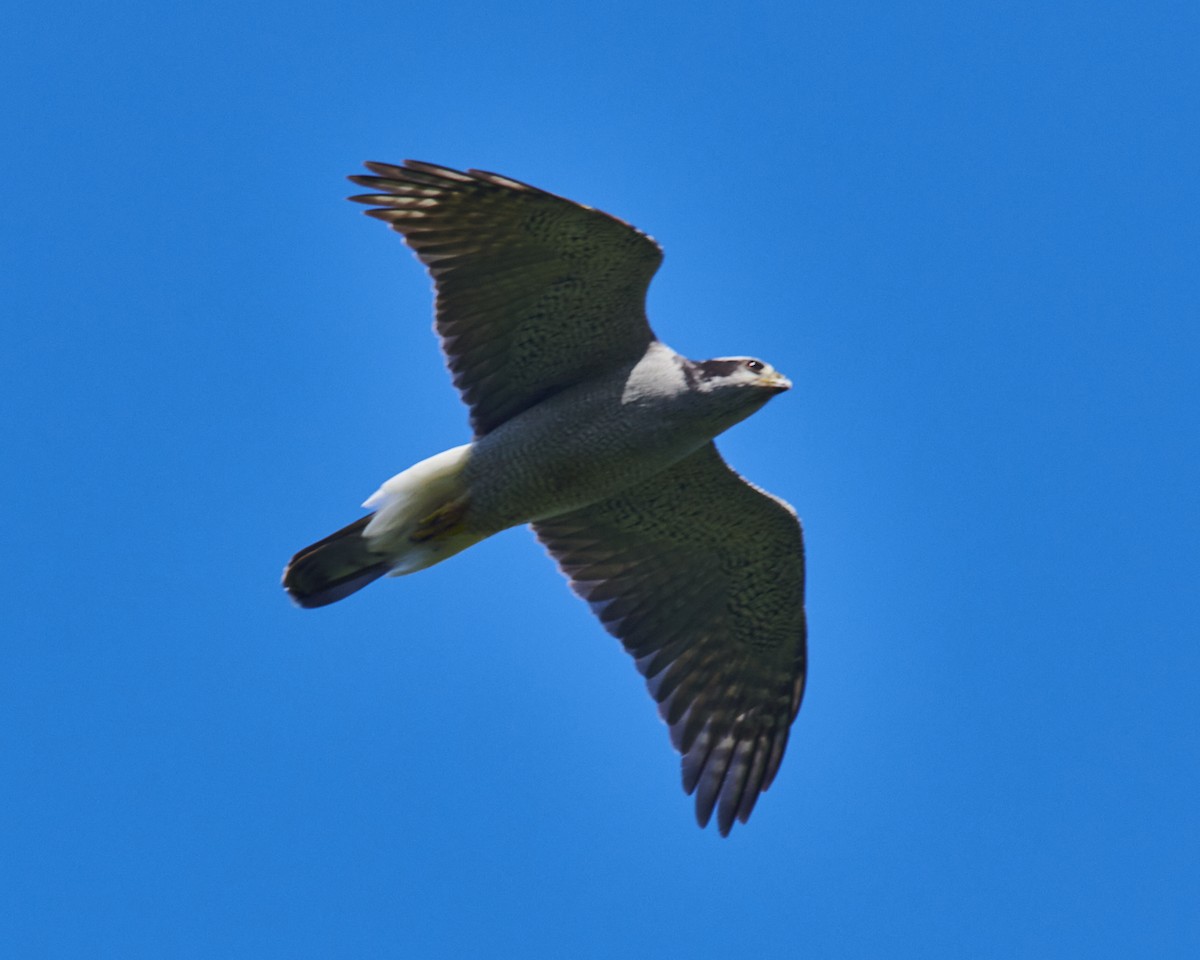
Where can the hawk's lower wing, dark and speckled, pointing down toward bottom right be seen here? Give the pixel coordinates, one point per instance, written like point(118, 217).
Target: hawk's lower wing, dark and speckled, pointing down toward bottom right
point(701, 577)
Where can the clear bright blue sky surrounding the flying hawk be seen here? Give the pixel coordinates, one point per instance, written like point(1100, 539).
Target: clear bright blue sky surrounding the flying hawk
point(968, 231)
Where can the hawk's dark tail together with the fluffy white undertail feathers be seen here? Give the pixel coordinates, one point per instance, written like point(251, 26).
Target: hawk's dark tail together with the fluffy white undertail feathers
point(418, 523)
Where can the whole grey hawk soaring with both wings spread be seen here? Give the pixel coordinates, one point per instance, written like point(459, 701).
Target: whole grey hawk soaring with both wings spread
point(601, 436)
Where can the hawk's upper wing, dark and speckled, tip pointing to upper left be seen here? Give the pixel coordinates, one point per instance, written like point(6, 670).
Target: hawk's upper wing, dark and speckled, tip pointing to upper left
point(535, 292)
